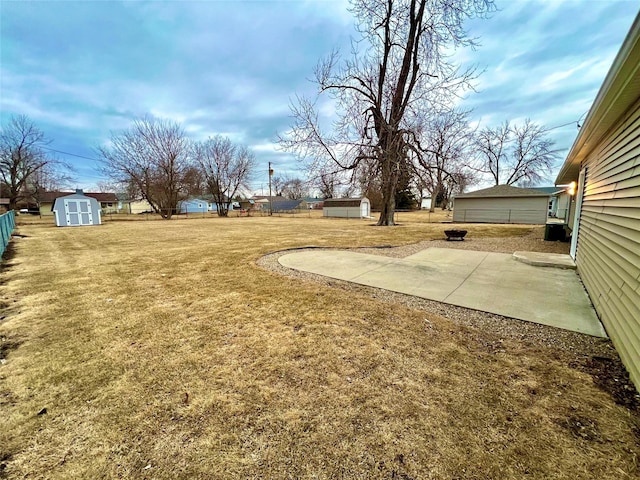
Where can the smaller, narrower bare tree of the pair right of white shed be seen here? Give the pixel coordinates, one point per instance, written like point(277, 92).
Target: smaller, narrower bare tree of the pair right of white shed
point(226, 168)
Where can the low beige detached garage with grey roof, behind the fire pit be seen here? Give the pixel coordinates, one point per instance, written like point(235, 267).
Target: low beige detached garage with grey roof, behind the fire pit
point(502, 204)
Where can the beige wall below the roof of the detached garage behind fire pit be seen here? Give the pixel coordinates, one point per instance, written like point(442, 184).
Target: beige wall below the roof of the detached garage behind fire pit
point(529, 210)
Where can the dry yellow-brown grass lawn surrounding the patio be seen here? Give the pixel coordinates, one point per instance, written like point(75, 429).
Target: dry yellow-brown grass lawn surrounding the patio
point(161, 350)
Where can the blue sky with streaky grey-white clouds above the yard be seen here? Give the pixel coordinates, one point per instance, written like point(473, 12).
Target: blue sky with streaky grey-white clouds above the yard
point(82, 70)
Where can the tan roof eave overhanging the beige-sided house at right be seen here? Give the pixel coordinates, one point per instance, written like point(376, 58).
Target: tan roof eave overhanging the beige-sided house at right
point(616, 95)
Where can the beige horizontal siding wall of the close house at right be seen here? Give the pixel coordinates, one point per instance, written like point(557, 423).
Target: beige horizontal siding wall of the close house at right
point(608, 254)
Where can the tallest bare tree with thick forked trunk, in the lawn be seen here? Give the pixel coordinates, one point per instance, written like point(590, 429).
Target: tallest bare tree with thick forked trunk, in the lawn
point(401, 68)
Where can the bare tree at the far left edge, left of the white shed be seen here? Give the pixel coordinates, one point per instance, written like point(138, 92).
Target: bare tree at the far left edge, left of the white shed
point(21, 158)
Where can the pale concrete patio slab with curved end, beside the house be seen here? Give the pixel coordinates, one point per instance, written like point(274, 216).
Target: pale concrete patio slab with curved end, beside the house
point(541, 288)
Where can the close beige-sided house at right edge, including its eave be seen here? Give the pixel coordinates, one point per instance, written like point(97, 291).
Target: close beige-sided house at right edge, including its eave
point(604, 163)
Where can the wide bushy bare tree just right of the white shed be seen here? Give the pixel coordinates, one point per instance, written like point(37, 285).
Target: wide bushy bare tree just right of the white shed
point(153, 157)
